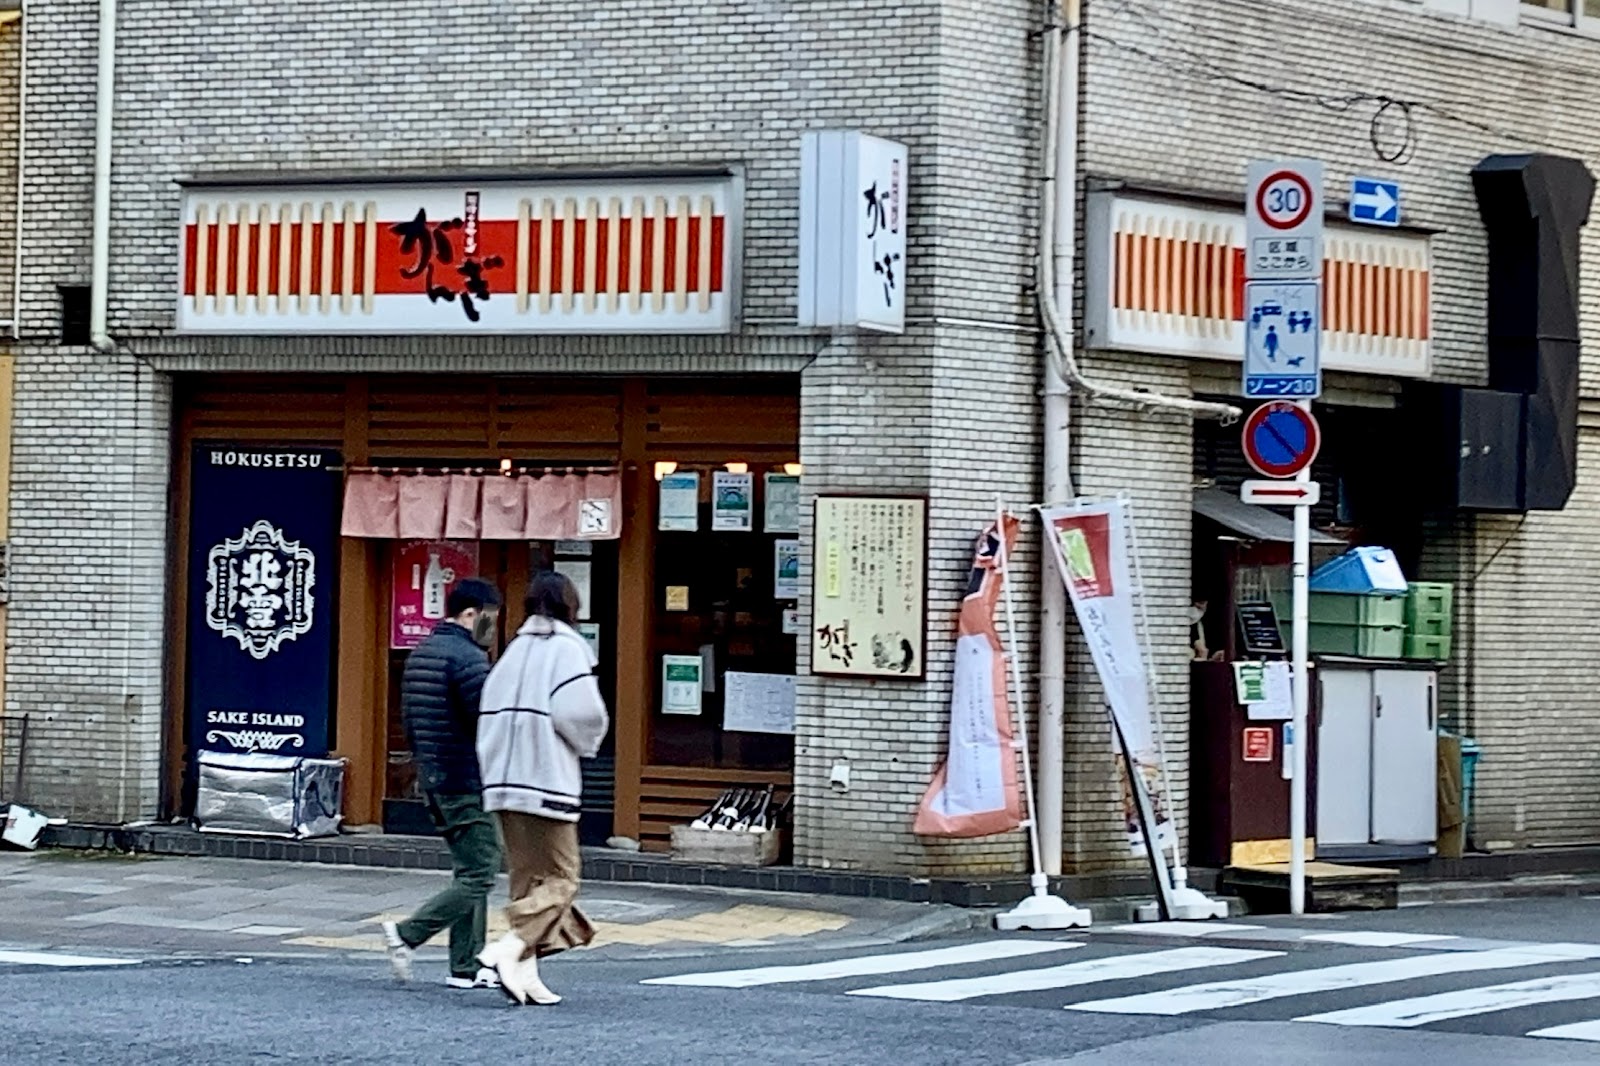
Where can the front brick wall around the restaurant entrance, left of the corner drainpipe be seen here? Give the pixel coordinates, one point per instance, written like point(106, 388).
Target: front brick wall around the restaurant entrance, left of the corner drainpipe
point(356, 87)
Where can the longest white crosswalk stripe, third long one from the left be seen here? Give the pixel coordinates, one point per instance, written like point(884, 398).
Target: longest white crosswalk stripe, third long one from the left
point(1223, 995)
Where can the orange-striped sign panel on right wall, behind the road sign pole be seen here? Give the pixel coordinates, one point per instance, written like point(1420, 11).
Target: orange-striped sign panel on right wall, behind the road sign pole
point(1170, 278)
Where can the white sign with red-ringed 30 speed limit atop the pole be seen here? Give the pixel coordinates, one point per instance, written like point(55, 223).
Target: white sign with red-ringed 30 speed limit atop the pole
point(1284, 214)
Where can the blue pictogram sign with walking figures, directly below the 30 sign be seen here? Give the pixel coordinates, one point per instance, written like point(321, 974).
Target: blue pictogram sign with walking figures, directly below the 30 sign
point(1284, 340)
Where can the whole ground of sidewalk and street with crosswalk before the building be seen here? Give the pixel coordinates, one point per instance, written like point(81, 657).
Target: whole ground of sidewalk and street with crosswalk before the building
point(196, 961)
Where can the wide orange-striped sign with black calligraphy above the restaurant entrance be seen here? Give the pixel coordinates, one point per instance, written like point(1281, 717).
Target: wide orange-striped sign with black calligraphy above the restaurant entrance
point(431, 258)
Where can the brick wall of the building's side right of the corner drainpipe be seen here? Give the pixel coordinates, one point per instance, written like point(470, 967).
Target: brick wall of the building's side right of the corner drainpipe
point(1167, 108)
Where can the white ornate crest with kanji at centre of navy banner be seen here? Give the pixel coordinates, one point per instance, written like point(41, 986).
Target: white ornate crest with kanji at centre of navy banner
point(260, 590)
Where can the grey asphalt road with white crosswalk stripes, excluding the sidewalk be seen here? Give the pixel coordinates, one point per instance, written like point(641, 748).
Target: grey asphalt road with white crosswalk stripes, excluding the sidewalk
point(1092, 1001)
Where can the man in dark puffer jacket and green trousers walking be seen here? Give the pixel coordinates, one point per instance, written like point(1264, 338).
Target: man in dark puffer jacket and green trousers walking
point(439, 702)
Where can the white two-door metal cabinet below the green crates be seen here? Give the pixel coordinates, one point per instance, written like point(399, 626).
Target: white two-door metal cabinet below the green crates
point(1377, 756)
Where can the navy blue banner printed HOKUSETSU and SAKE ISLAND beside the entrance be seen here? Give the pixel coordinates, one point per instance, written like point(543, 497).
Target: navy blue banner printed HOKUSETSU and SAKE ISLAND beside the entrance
point(263, 569)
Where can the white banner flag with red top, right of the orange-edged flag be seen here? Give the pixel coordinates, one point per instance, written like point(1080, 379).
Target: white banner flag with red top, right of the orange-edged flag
point(1090, 545)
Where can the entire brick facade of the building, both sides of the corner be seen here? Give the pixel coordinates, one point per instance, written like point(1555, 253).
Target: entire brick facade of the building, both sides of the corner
point(1175, 100)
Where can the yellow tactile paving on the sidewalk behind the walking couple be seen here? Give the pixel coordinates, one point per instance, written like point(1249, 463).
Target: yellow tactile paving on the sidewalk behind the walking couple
point(740, 924)
